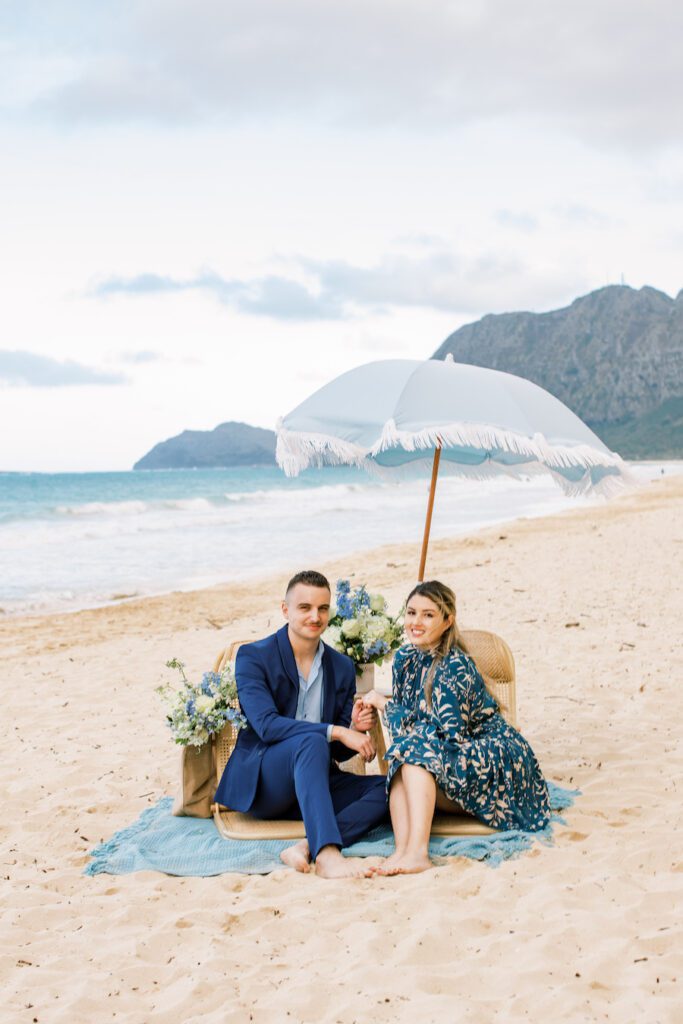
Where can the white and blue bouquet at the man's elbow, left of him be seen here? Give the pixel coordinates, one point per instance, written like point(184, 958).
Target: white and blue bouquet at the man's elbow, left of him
point(197, 713)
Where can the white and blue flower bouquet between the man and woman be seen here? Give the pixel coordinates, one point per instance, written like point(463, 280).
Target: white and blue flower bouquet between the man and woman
point(361, 627)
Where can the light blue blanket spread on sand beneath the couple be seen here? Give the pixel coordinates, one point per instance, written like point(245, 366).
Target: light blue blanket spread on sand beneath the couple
point(158, 842)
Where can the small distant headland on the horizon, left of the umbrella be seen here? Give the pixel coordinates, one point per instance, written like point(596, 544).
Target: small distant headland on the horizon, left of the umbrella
point(229, 445)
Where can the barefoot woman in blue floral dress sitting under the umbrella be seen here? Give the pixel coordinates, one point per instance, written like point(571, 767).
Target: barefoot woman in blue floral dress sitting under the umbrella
point(451, 750)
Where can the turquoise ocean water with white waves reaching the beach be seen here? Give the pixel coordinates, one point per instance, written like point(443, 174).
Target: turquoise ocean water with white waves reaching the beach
point(76, 540)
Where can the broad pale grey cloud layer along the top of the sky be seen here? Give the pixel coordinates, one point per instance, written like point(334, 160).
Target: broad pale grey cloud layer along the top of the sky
point(608, 72)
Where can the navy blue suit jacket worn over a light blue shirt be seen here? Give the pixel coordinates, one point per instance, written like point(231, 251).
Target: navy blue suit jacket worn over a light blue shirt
point(269, 690)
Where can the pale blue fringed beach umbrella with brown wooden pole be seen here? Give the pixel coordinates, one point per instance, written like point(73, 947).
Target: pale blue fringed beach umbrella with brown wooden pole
point(396, 415)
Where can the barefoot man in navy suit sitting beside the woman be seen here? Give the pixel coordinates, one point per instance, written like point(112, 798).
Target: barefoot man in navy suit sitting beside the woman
point(298, 697)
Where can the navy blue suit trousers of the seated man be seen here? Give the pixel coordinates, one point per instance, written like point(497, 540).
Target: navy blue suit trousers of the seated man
point(298, 781)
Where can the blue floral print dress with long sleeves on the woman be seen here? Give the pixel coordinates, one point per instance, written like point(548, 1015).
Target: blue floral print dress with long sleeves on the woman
point(463, 741)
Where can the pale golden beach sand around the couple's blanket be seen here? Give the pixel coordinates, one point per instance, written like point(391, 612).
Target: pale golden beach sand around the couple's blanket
point(585, 930)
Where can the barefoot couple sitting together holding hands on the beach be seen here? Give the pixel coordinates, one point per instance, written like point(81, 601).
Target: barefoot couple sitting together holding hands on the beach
point(450, 748)
